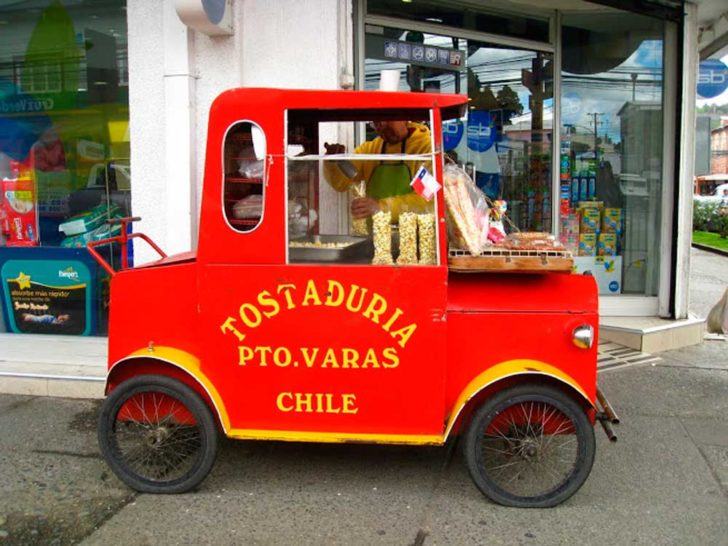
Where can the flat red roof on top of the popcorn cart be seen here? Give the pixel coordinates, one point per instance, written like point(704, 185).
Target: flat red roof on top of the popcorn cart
point(307, 99)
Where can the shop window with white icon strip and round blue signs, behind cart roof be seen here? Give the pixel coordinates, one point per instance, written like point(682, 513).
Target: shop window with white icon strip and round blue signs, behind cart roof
point(505, 142)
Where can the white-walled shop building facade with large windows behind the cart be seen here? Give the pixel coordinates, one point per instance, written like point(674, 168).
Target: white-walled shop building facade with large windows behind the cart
point(573, 105)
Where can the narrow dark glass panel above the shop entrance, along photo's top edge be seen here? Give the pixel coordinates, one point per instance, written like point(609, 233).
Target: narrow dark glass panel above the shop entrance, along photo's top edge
point(483, 18)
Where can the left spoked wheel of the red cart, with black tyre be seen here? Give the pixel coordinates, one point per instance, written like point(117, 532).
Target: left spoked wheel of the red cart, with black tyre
point(157, 435)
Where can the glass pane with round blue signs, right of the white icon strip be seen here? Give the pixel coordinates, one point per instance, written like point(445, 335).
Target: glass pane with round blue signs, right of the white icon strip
point(507, 142)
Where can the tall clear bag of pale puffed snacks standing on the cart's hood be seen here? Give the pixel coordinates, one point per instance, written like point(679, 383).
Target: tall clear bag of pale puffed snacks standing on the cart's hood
point(467, 211)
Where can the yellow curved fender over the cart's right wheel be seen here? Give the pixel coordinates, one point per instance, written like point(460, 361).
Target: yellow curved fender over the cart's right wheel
point(510, 368)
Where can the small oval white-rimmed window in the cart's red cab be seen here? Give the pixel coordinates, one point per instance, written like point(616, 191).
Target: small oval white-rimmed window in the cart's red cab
point(244, 164)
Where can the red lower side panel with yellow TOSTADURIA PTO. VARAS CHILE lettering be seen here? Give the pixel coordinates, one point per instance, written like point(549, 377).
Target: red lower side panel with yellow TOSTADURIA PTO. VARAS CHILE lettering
point(335, 349)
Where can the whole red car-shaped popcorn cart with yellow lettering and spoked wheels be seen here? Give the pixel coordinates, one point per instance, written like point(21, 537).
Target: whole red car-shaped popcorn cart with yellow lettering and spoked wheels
point(339, 293)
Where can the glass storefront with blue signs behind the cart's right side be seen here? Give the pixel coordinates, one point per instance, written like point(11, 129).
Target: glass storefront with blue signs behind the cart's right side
point(569, 122)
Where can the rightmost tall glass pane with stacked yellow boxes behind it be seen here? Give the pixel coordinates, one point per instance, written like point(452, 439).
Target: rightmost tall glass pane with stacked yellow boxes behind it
point(611, 148)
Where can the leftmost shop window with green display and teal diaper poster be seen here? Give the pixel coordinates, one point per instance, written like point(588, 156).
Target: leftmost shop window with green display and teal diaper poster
point(64, 160)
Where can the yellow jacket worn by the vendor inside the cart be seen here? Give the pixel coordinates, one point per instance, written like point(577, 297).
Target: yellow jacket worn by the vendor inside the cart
point(418, 142)
